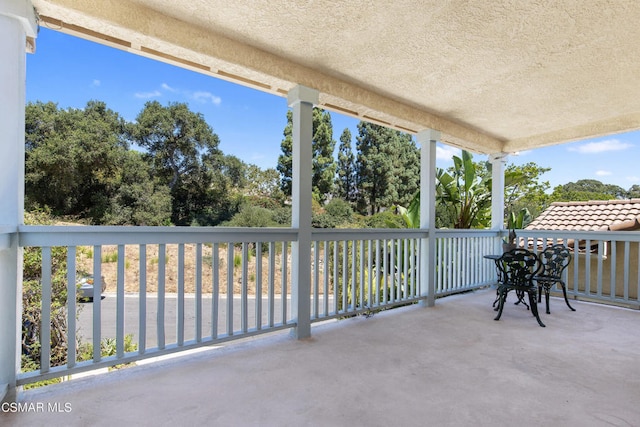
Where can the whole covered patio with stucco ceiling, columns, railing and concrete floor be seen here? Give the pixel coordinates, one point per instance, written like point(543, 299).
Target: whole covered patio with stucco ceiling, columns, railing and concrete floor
point(490, 77)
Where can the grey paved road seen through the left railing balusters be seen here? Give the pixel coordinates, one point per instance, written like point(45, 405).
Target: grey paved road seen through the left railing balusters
point(131, 317)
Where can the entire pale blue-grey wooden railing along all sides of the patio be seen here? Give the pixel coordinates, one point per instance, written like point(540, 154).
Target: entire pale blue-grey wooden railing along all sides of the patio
point(190, 290)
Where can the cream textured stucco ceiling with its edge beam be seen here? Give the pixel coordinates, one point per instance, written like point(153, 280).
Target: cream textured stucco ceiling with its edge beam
point(492, 76)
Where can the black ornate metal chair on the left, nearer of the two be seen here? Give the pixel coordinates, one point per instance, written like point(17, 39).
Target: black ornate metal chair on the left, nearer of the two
point(517, 268)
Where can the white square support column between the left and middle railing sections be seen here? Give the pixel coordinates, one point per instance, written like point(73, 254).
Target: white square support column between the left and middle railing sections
point(301, 99)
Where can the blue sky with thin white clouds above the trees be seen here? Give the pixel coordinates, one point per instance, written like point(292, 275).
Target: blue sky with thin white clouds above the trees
point(71, 71)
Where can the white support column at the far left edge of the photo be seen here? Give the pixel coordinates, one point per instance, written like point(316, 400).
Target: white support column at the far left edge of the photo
point(17, 22)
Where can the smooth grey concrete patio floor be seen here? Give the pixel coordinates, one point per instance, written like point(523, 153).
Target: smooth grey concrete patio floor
point(449, 365)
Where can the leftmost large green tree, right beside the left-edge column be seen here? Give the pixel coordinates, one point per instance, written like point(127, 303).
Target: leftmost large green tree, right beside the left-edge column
point(73, 158)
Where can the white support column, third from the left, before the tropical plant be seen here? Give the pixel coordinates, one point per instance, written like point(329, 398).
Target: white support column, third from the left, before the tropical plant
point(427, 140)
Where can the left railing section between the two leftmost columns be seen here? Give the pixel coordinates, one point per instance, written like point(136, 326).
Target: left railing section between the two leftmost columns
point(220, 314)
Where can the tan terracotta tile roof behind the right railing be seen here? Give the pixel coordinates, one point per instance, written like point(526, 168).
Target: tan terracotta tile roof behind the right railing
point(597, 215)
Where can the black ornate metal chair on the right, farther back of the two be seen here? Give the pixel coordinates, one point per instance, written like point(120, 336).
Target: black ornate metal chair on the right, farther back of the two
point(554, 260)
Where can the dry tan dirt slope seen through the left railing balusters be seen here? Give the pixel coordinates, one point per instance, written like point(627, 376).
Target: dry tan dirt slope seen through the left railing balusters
point(109, 265)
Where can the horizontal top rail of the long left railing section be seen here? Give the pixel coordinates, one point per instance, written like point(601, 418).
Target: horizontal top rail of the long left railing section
point(116, 235)
